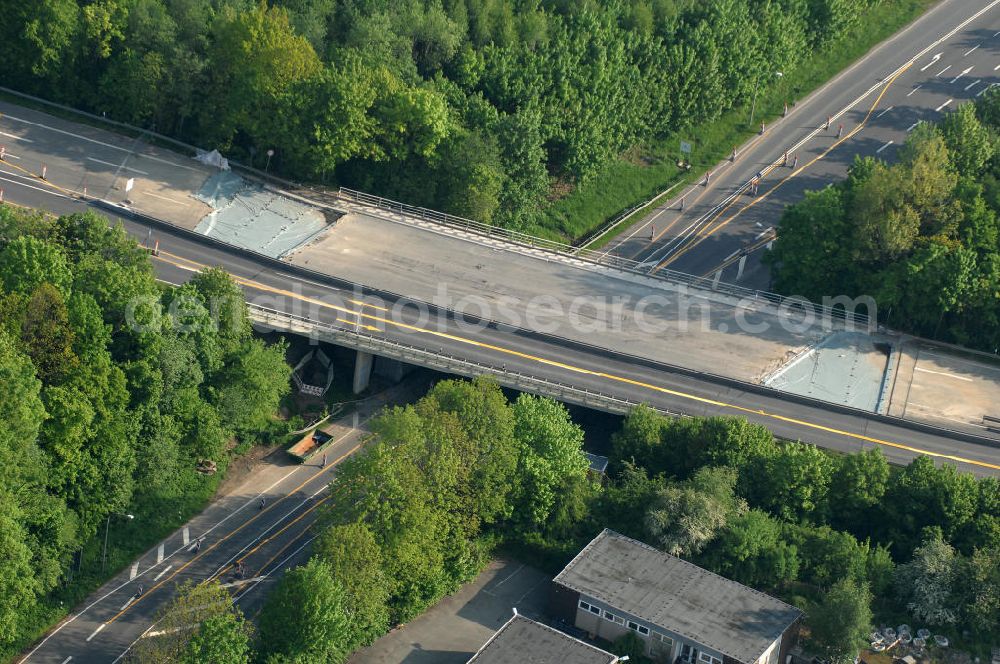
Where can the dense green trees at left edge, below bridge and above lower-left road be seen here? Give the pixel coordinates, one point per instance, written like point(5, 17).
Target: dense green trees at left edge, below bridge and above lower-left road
point(112, 388)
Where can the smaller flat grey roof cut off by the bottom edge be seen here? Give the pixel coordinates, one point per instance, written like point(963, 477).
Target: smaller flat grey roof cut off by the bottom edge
point(524, 641)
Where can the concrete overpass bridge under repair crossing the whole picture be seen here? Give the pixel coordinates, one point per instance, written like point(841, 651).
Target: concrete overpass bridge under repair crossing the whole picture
point(392, 281)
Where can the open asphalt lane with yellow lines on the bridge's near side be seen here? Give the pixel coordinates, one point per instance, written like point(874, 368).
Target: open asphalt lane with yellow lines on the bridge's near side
point(535, 355)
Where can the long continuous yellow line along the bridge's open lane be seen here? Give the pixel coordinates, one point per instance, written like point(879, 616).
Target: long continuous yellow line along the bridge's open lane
point(611, 377)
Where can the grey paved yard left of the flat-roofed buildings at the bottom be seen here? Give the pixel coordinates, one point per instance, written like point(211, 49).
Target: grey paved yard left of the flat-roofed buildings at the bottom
point(454, 629)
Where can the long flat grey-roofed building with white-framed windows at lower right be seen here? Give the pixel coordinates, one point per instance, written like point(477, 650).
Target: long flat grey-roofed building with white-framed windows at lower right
point(683, 612)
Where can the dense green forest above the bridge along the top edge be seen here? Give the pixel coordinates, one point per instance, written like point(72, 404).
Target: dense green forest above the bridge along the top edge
point(483, 108)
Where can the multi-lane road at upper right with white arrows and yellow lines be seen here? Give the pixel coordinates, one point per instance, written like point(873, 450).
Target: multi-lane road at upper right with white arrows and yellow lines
point(948, 56)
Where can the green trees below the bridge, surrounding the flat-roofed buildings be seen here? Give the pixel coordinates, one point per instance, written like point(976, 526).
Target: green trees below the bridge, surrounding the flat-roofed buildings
point(464, 472)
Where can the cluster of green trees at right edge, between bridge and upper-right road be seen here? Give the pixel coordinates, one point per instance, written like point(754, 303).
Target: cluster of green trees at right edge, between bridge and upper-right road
point(921, 236)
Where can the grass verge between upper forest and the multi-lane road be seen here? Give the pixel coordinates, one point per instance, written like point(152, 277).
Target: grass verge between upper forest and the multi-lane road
point(623, 184)
